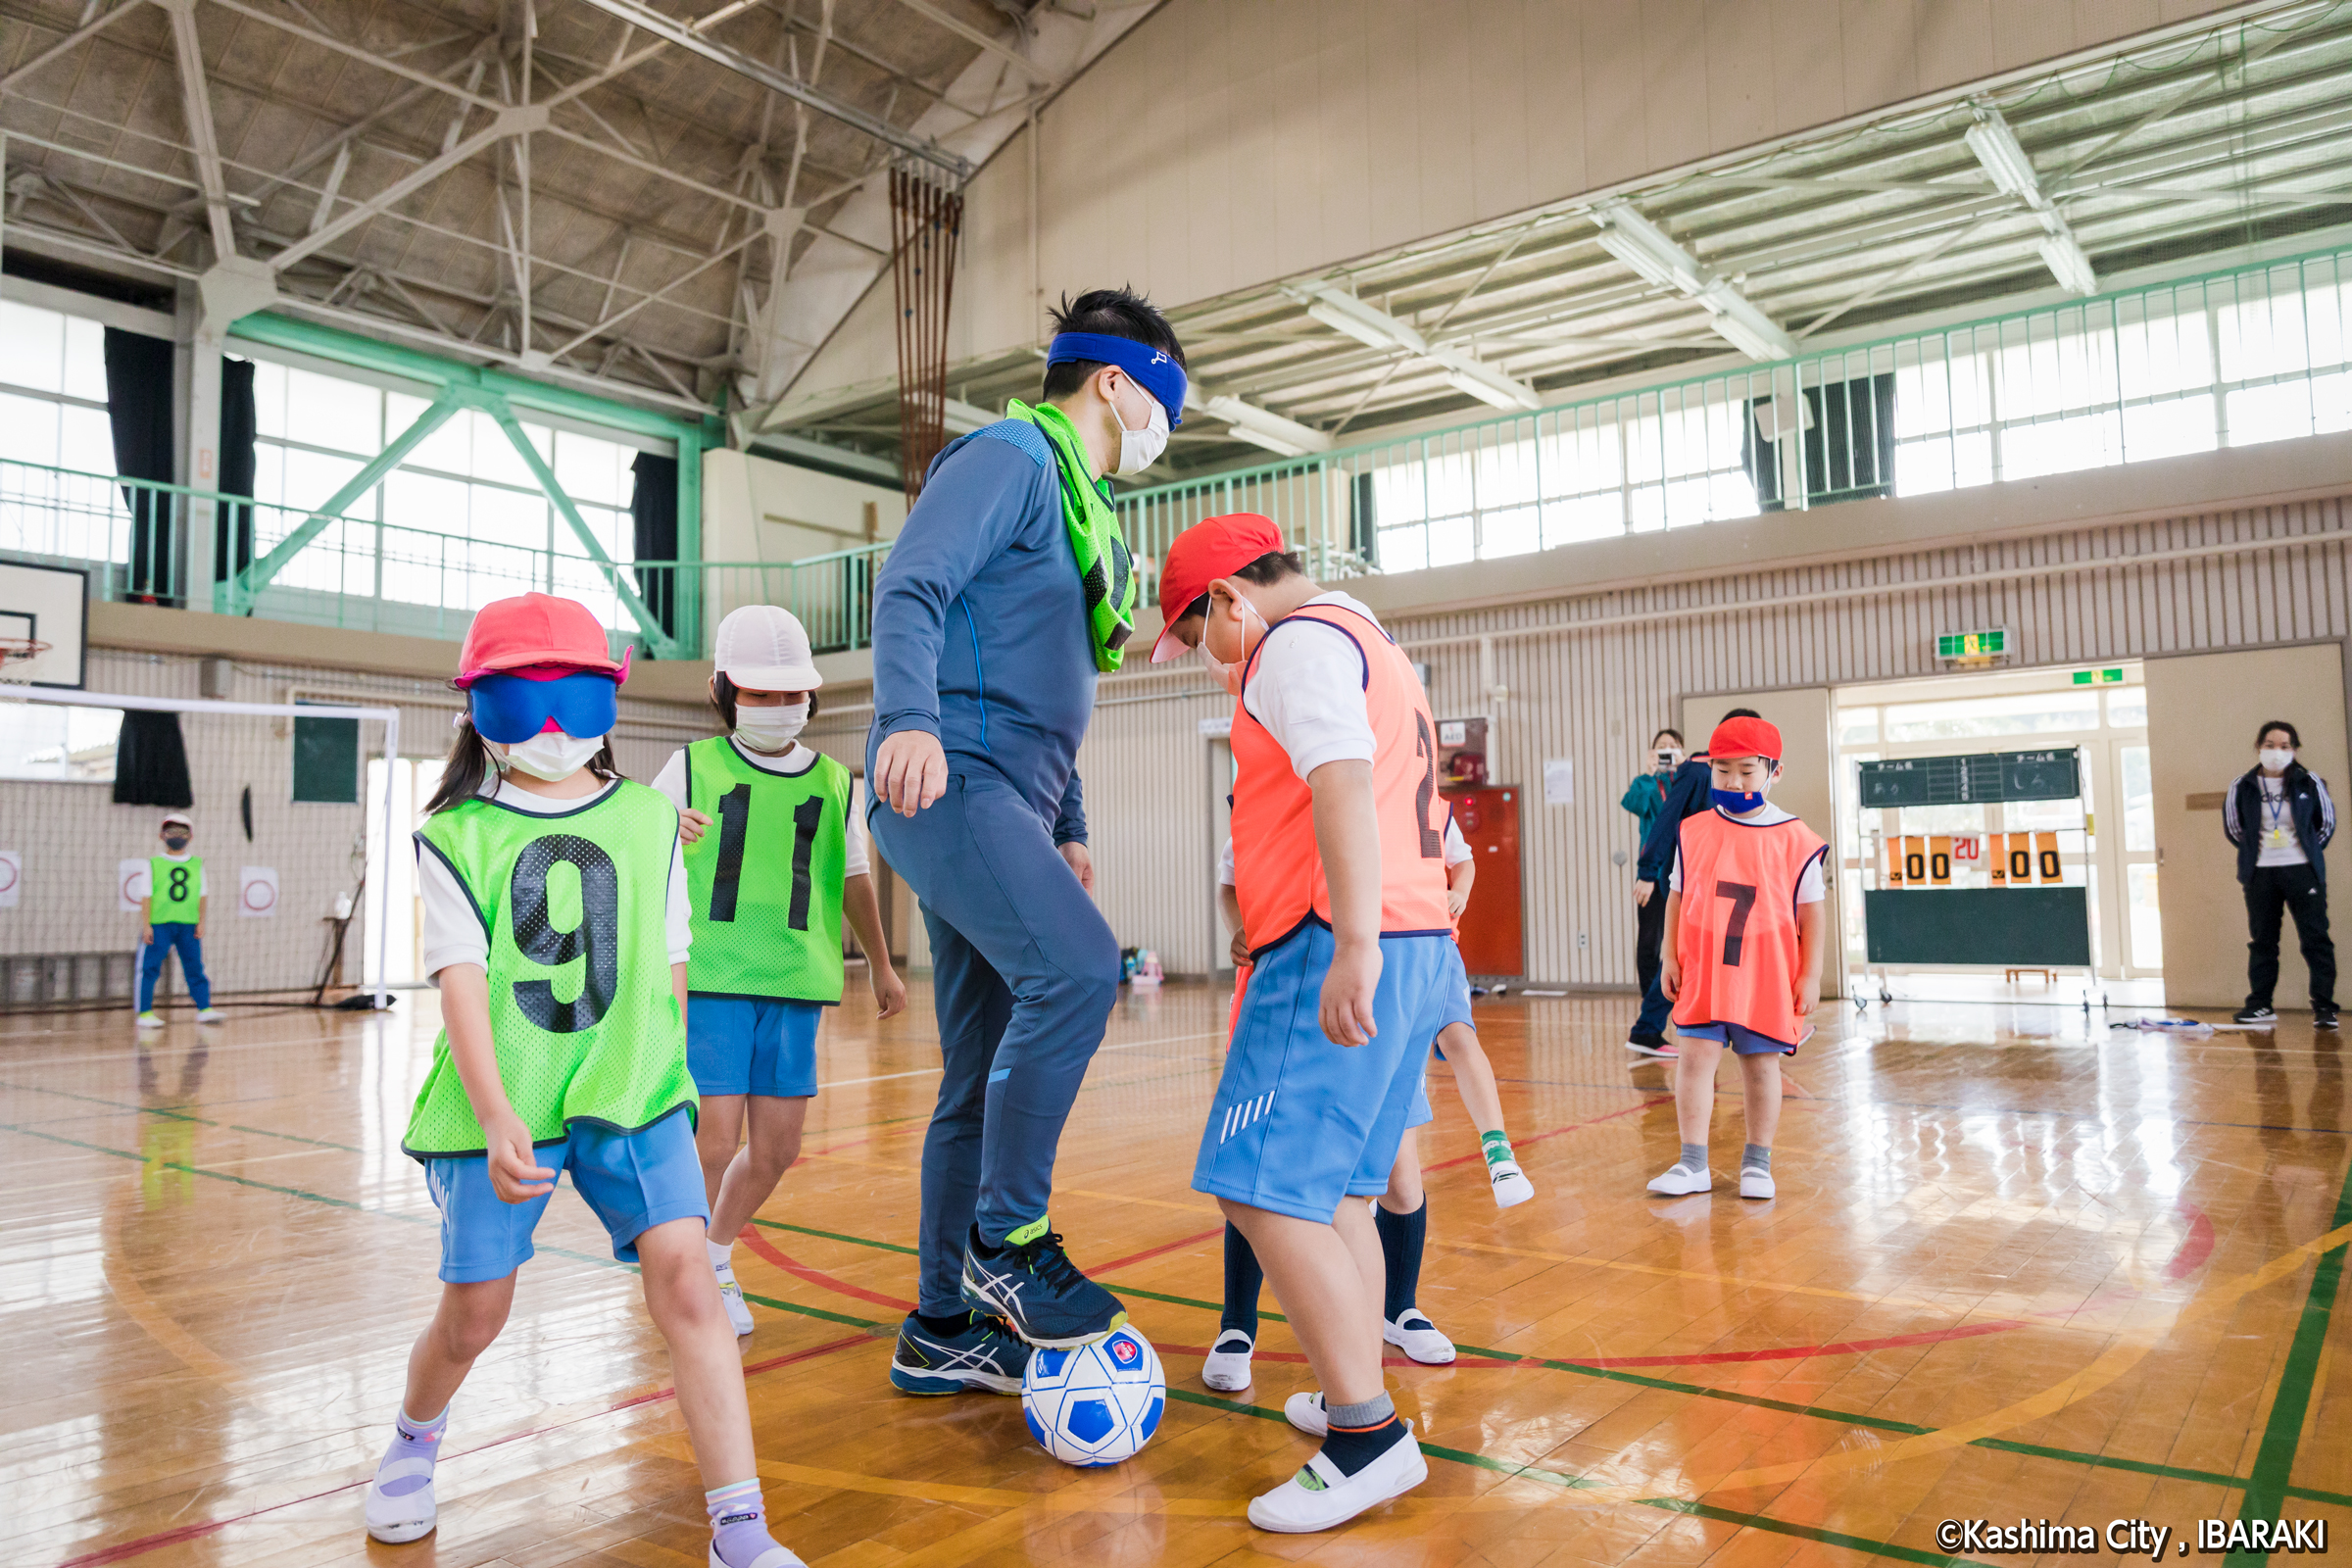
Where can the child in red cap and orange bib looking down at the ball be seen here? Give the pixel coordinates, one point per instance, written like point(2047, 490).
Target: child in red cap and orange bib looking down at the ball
point(1339, 871)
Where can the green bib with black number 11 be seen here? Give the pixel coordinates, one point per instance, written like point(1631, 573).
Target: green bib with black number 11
point(766, 878)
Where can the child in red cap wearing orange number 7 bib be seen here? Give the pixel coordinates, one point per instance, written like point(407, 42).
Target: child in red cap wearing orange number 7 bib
point(1742, 953)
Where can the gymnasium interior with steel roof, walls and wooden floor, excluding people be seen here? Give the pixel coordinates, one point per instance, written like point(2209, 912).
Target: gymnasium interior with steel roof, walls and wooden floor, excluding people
point(1965, 387)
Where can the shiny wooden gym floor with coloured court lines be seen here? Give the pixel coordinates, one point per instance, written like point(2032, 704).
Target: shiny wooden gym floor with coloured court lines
point(2019, 1268)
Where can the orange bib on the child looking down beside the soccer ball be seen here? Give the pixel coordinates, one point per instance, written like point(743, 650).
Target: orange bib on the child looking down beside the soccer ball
point(1276, 866)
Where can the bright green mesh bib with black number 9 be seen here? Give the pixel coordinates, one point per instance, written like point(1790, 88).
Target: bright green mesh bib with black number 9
point(582, 1014)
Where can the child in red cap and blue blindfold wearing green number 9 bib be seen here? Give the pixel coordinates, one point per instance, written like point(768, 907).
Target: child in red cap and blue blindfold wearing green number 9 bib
point(556, 930)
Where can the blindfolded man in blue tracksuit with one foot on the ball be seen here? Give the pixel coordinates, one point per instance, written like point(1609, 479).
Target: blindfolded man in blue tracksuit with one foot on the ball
point(1003, 598)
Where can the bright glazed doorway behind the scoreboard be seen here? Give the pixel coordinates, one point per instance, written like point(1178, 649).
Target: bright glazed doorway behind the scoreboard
point(2106, 840)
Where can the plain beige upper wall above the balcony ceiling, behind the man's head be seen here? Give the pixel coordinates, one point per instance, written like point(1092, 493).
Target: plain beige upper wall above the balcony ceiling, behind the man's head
point(1234, 142)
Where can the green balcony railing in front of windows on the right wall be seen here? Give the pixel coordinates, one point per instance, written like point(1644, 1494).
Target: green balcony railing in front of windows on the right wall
point(2226, 361)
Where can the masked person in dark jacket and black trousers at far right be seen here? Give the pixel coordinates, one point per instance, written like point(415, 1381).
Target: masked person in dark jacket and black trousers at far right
point(2280, 817)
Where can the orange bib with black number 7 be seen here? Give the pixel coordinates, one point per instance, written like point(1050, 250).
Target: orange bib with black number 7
point(1739, 923)
